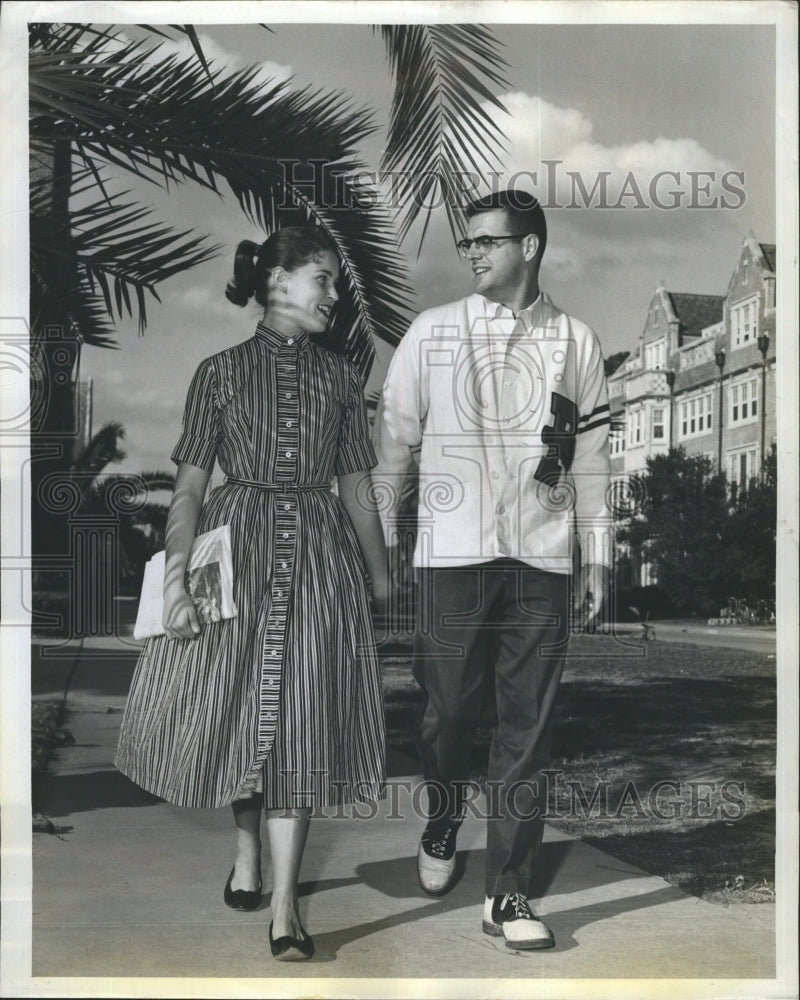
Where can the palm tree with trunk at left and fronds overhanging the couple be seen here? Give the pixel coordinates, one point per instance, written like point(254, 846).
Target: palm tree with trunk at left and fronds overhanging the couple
point(103, 106)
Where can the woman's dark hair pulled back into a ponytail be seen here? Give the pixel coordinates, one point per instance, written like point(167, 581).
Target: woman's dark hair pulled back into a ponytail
point(288, 248)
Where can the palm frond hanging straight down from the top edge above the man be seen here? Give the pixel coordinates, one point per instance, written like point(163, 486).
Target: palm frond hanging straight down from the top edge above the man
point(437, 120)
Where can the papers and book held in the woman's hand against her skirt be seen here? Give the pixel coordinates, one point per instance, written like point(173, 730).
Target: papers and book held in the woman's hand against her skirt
point(208, 581)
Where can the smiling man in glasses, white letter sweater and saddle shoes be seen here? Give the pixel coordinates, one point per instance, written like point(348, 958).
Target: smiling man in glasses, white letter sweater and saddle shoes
point(503, 398)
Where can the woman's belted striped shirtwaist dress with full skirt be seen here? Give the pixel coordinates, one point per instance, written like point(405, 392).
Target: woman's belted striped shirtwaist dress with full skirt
point(286, 697)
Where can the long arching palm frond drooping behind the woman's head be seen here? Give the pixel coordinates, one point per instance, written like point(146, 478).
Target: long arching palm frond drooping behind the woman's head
point(286, 155)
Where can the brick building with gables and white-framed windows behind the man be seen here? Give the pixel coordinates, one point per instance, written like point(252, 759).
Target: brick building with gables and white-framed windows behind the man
point(702, 376)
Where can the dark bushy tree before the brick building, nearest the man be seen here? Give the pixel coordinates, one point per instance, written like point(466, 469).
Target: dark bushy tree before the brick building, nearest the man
point(682, 529)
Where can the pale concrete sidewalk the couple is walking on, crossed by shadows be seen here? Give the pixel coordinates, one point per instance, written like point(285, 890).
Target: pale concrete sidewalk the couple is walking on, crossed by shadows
point(132, 886)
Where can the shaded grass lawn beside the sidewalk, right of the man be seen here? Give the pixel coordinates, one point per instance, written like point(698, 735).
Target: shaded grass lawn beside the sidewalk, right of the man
point(663, 756)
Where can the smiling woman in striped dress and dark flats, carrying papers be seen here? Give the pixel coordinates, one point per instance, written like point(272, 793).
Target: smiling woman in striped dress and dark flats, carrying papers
point(281, 706)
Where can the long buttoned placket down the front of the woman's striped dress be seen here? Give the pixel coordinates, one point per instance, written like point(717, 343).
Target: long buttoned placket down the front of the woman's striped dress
point(284, 508)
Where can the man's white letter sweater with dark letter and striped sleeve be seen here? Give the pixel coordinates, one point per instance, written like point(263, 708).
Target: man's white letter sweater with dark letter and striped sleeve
point(508, 421)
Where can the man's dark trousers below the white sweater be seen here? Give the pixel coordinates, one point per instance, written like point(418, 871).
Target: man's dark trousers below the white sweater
point(506, 625)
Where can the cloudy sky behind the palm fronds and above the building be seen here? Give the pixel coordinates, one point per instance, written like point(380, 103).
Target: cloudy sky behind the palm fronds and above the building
point(628, 102)
